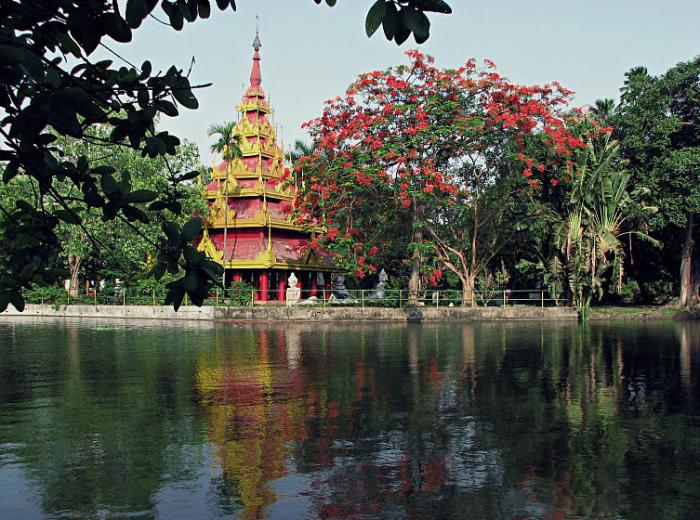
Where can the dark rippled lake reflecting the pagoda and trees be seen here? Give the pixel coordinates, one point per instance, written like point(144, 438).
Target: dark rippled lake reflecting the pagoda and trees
point(494, 420)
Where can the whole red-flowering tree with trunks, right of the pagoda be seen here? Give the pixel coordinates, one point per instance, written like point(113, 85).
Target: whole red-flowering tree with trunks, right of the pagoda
point(420, 146)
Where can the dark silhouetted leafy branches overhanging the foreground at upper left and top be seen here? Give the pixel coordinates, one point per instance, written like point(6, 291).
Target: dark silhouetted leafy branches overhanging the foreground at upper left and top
point(51, 85)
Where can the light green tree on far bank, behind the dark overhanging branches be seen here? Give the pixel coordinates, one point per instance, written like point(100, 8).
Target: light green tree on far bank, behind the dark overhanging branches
point(97, 244)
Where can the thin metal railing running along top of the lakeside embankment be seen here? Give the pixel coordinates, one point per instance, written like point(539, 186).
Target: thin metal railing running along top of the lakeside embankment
point(244, 297)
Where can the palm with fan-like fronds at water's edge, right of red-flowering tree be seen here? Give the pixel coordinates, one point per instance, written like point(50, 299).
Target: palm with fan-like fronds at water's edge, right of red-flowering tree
point(601, 210)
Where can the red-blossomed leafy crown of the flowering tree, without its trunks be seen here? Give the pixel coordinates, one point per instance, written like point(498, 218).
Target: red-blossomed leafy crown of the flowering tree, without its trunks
point(397, 134)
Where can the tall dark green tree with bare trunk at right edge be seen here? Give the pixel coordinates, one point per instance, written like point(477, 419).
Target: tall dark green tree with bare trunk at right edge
point(658, 124)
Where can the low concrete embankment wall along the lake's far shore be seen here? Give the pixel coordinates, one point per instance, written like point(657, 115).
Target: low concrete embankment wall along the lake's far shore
point(296, 313)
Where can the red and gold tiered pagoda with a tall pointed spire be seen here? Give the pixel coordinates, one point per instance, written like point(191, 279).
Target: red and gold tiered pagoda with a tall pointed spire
point(250, 230)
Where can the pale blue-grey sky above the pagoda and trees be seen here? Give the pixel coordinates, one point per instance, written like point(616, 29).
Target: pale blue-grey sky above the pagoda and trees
point(313, 52)
